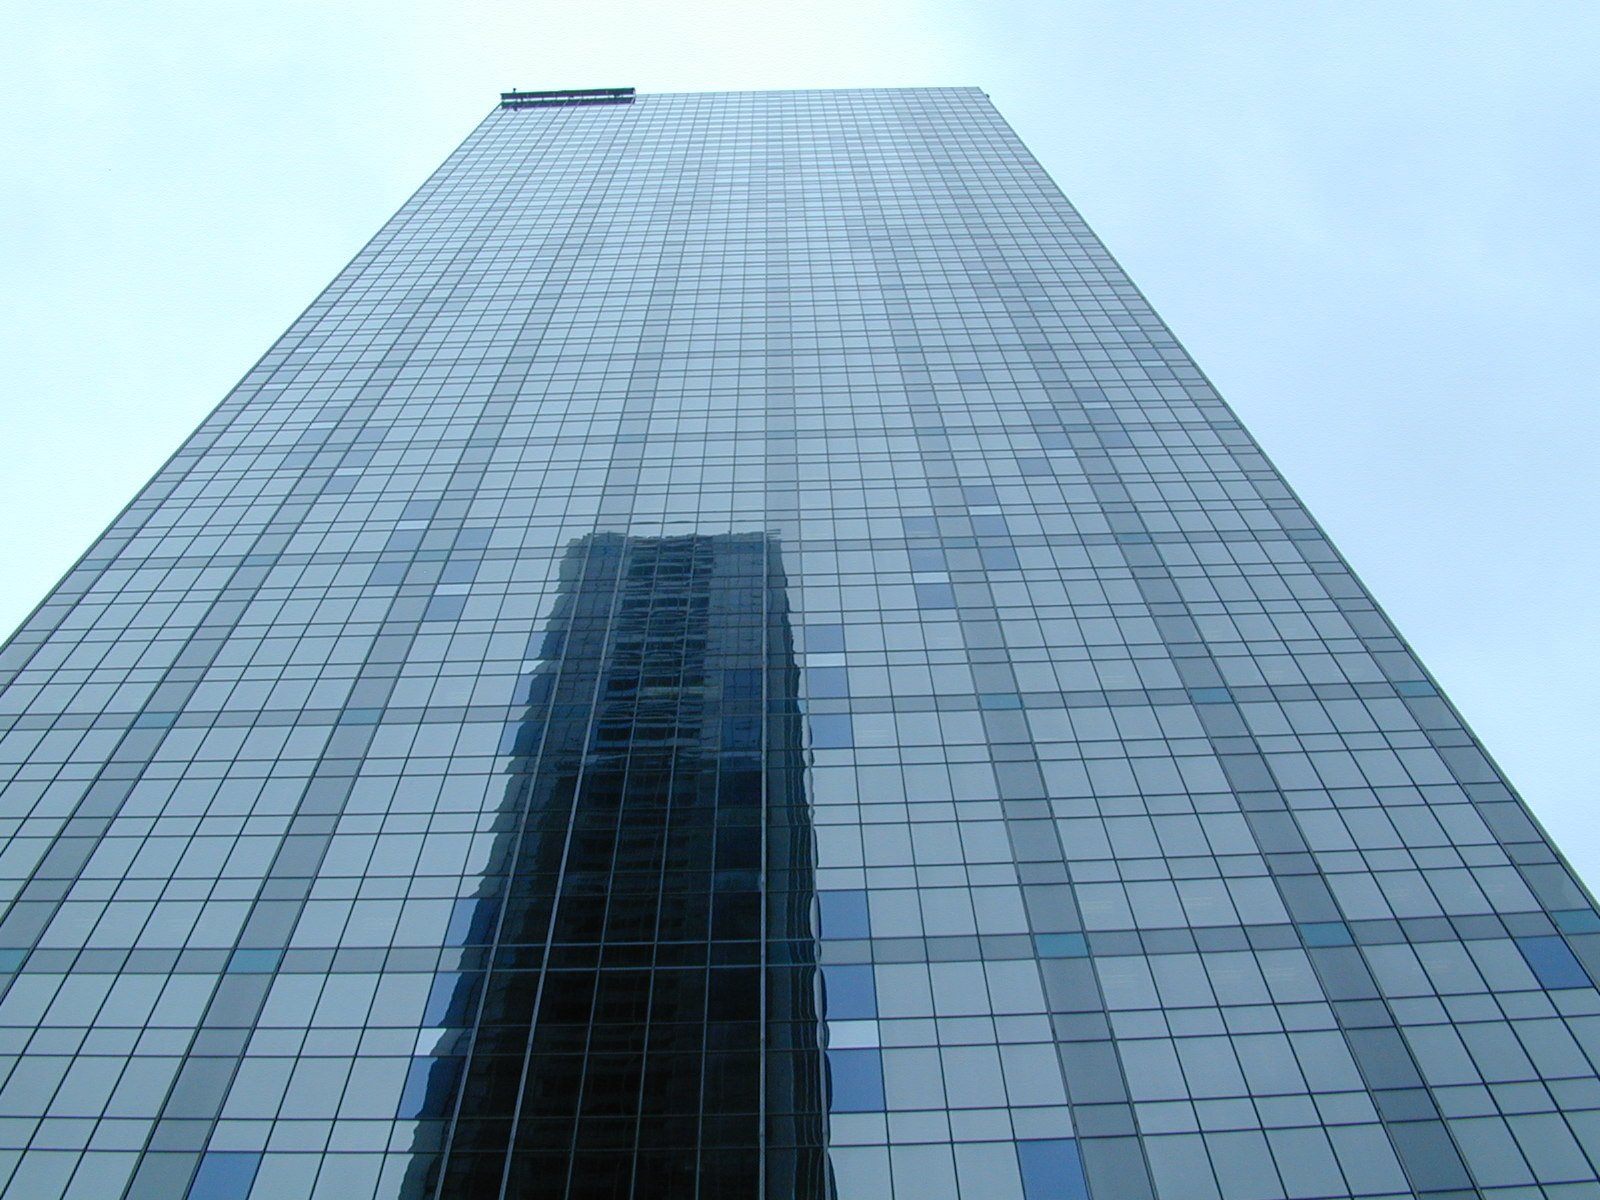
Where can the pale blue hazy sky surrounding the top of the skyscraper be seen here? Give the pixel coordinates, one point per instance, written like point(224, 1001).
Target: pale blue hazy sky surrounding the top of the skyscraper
point(1372, 223)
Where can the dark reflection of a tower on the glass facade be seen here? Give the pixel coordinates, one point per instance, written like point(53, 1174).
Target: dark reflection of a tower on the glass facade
point(636, 1014)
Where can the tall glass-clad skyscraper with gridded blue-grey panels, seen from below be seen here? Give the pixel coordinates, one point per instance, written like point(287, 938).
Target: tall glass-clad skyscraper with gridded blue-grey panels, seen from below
point(730, 654)
